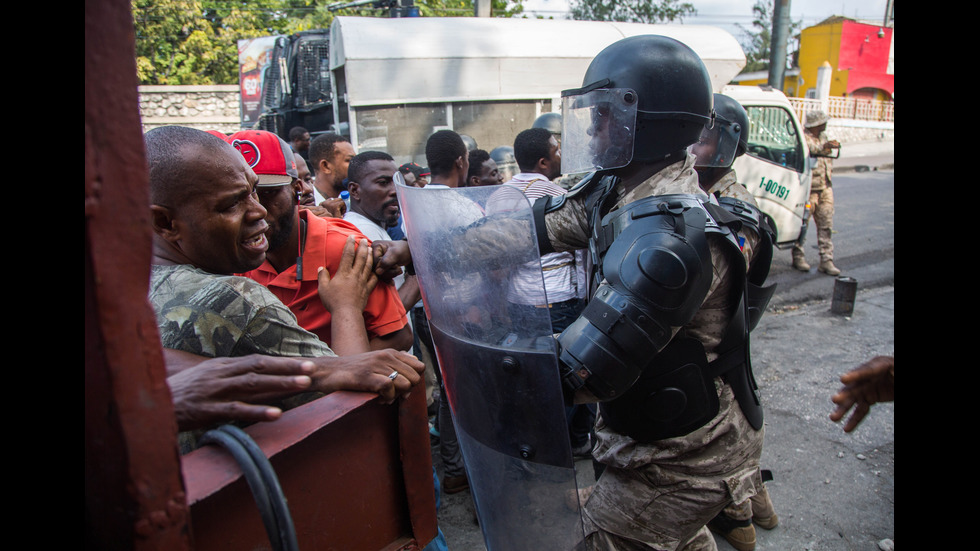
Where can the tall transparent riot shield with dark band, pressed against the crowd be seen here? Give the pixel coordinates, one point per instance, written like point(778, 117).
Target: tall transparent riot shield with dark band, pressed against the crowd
point(498, 363)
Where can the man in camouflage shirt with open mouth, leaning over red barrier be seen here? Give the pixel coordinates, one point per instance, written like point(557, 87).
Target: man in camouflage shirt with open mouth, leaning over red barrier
point(208, 224)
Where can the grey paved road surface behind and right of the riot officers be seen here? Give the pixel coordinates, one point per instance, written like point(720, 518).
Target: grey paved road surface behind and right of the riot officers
point(832, 491)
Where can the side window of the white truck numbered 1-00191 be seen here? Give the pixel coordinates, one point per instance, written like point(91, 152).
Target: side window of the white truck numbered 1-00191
point(773, 137)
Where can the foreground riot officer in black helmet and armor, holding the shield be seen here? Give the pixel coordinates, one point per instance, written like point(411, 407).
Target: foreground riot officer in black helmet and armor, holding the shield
point(663, 342)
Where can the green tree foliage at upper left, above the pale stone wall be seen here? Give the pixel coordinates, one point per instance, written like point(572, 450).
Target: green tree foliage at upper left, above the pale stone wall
point(196, 41)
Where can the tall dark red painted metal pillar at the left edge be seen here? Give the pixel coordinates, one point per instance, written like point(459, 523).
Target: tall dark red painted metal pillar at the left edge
point(134, 495)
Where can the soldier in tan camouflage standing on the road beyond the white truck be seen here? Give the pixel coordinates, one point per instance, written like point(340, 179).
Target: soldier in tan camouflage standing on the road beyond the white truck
point(821, 193)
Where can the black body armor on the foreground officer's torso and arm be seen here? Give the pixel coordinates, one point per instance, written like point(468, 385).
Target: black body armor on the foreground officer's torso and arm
point(652, 272)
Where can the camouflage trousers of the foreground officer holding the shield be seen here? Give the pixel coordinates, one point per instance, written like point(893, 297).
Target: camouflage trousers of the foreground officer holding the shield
point(660, 495)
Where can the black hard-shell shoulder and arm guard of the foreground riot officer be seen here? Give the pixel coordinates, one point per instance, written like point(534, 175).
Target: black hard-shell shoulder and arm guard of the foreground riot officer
point(657, 270)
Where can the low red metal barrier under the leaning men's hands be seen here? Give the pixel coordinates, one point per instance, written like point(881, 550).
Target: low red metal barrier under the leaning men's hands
point(357, 475)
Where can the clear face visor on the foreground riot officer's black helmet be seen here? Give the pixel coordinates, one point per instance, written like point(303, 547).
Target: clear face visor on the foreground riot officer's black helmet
point(598, 128)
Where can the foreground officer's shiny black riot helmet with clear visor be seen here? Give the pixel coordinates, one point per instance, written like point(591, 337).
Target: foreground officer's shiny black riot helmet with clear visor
point(655, 93)
